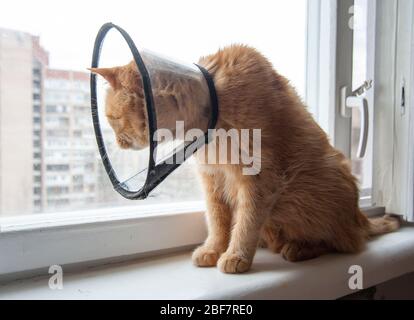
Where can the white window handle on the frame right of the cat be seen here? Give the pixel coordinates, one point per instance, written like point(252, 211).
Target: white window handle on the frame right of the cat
point(354, 99)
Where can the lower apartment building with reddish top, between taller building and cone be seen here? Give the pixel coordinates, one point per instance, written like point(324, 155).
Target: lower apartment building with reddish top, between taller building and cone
point(70, 155)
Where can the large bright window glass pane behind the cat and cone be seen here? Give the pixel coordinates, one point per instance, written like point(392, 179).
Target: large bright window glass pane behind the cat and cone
point(48, 155)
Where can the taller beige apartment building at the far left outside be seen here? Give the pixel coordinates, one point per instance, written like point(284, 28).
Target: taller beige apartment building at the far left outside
point(22, 64)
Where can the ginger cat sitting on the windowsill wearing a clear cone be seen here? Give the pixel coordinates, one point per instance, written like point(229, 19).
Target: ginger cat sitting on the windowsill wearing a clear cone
point(304, 201)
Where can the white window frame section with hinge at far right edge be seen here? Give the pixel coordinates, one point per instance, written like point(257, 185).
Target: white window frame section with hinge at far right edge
point(393, 173)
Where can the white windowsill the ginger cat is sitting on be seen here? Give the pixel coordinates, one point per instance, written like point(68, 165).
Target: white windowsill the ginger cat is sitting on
point(174, 277)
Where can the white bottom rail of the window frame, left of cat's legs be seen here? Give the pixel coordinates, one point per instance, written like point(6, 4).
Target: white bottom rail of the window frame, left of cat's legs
point(29, 244)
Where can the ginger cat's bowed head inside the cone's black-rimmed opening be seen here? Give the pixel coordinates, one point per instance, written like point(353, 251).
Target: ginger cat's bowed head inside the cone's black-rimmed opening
point(125, 105)
